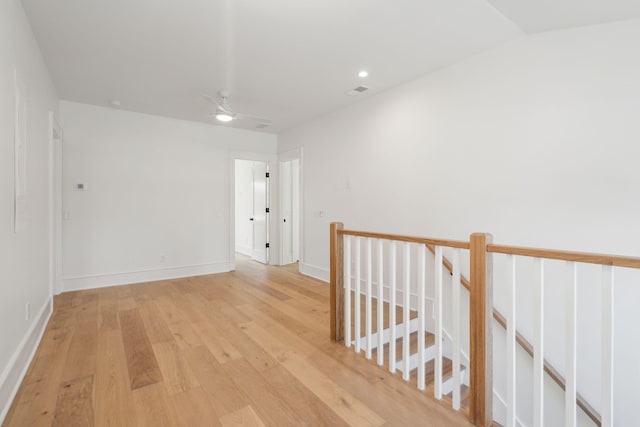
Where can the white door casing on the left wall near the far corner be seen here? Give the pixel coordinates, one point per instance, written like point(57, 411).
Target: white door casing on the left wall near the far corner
point(55, 205)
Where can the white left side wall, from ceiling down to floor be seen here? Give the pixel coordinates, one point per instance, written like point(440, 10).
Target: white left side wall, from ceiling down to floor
point(24, 256)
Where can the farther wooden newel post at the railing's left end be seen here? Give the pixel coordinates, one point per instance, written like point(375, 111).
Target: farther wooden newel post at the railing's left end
point(337, 283)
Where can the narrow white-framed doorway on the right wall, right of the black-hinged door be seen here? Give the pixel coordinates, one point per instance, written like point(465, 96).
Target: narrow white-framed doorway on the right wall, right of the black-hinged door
point(290, 211)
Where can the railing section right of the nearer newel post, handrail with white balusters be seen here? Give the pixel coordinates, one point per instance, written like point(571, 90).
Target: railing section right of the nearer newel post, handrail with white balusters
point(572, 399)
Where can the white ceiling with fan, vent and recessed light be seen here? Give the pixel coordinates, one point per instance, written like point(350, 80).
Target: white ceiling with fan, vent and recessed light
point(286, 60)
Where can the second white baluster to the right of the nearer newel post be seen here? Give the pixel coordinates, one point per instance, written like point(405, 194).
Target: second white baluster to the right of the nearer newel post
point(538, 344)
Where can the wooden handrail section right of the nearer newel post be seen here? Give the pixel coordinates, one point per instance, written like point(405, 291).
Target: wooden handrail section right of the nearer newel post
point(589, 258)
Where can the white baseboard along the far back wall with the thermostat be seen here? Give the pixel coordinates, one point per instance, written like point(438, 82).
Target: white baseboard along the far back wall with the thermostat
point(113, 279)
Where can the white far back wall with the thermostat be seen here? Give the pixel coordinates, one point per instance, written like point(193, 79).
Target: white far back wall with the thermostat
point(157, 199)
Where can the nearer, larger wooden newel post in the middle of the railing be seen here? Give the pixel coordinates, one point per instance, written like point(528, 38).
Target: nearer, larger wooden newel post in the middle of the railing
point(481, 352)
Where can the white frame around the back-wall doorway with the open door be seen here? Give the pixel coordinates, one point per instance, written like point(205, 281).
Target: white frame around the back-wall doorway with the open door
point(272, 162)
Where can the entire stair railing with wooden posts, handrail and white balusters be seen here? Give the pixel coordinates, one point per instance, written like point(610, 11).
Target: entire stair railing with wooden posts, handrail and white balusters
point(481, 311)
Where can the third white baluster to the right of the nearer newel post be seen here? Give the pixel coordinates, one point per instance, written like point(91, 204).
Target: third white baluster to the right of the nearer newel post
point(570, 344)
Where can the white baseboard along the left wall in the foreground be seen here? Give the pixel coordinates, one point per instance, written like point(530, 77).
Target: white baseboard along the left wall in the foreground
point(14, 372)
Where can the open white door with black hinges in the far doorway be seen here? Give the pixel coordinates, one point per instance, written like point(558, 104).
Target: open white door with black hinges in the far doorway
point(260, 251)
